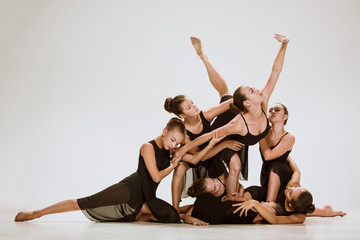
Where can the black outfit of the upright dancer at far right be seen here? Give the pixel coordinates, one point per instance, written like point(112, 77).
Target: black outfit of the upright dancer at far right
point(279, 165)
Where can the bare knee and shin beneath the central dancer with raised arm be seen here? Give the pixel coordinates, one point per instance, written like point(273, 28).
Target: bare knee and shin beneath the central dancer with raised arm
point(232, 180)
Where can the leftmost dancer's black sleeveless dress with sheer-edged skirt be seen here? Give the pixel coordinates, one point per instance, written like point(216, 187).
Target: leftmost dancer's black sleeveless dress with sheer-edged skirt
point(121, 202)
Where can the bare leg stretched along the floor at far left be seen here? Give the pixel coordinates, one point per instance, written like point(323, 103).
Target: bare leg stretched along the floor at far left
point(64, 206)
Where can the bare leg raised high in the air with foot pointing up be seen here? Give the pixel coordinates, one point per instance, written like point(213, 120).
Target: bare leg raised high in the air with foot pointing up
point(215, 78)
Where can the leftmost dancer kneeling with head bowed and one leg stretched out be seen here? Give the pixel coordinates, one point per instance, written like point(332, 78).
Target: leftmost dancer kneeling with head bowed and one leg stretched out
point(123, 201)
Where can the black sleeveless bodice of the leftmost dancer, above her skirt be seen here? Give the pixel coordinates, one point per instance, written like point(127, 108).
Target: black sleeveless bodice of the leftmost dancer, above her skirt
point(162, 157)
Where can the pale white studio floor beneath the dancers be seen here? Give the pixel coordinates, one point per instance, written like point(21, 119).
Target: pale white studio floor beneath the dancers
point(76, 226)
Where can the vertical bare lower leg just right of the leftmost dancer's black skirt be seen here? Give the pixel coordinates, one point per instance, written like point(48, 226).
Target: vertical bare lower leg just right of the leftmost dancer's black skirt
point(177, 184)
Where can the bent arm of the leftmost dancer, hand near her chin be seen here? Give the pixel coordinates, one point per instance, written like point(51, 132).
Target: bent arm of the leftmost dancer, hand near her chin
point(148, 153)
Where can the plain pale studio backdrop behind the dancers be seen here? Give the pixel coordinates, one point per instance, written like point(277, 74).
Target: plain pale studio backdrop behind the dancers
point(82, 86)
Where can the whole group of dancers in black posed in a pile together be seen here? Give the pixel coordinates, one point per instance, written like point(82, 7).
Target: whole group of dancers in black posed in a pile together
point(214, 144)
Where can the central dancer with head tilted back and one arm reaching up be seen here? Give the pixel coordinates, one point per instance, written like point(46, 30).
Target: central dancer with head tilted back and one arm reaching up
point(250, 124)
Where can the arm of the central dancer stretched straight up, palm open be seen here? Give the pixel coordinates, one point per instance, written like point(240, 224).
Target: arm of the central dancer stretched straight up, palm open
point(276, 69)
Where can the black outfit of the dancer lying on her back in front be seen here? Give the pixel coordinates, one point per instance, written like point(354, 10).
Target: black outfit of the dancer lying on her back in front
point(210, 209)
